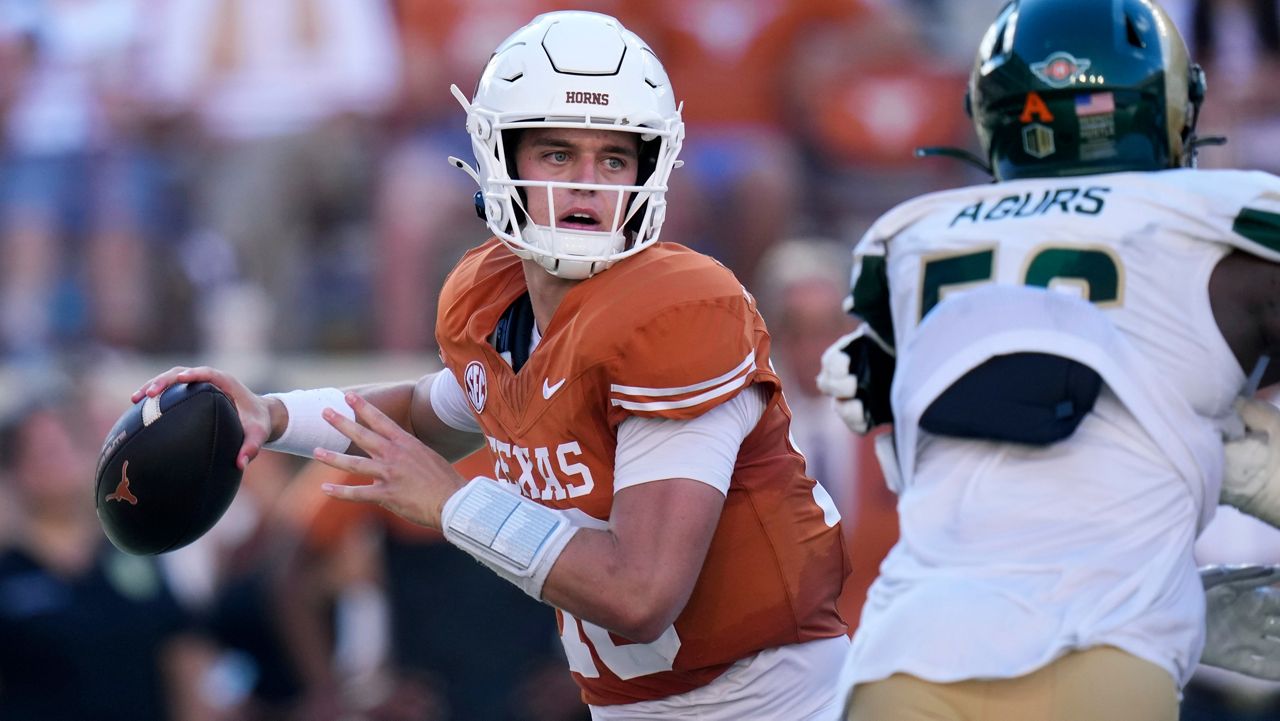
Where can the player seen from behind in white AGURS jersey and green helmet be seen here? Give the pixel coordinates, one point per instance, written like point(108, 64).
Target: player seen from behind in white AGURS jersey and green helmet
point(1060, 353)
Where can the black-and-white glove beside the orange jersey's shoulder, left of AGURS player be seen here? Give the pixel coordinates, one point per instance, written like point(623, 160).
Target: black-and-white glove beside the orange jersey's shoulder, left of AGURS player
point(857, 373)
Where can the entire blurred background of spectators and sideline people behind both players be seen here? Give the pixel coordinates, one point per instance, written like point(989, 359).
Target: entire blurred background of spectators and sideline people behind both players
point(211, 179)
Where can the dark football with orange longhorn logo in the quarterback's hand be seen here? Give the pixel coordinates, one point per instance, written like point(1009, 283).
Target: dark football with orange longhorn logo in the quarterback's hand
point(167, 472)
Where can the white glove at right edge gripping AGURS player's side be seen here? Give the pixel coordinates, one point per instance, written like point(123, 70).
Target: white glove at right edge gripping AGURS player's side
point(1251, 480)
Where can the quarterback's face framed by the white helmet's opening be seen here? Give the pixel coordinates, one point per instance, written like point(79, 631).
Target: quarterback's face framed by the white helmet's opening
point(573, 156)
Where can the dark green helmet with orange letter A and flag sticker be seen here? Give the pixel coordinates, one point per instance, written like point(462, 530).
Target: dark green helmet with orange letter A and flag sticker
point(1072, 88)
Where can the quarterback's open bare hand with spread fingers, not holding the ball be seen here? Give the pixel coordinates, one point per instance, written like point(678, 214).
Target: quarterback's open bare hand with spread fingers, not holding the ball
point(410, 480)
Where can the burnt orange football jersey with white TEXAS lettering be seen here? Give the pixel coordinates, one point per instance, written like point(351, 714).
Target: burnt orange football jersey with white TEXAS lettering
point(668, 334)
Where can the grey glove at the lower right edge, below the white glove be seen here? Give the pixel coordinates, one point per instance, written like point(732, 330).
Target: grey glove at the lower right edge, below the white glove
point(1242, 626)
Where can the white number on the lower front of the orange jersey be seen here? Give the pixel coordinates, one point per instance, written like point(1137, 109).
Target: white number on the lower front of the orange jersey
point(627, 661)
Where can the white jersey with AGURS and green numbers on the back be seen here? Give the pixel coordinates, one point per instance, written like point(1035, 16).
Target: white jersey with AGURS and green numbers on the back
point(1013, 555)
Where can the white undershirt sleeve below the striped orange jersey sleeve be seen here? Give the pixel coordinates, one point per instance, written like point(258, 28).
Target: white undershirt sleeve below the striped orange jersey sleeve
point(703, 449)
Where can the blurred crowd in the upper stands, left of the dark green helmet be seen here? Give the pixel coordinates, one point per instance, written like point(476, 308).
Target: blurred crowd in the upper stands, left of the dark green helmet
point(199, 176)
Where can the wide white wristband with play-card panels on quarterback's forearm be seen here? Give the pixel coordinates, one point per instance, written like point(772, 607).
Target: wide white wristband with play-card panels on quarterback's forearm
point(511, 535)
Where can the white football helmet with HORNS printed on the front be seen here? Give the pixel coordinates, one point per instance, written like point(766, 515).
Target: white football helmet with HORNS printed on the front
point(573, 70)
